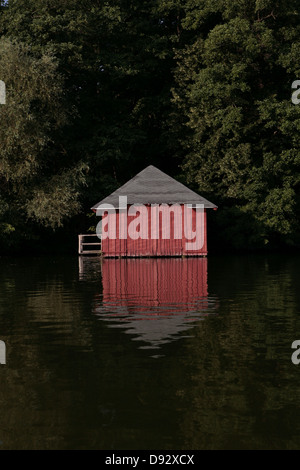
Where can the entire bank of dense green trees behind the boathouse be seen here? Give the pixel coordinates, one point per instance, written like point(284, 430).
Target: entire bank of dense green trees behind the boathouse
point(98, 90)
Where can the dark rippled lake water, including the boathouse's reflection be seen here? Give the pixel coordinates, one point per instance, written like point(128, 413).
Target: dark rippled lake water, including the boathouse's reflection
point(150, 354)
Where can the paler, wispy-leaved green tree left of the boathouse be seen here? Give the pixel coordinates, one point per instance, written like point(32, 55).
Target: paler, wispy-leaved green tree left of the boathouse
point(36, 182)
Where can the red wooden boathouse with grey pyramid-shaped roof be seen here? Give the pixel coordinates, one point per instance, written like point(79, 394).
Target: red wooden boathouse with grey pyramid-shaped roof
point(153, 215)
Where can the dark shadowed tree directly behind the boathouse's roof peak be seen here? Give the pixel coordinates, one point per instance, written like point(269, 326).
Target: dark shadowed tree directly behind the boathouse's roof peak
point(115, 60)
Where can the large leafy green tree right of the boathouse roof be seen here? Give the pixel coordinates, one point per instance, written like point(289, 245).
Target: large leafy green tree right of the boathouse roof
point(241, 129)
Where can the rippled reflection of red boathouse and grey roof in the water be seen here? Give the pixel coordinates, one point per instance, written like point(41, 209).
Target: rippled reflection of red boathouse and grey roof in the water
point(154, 300)
